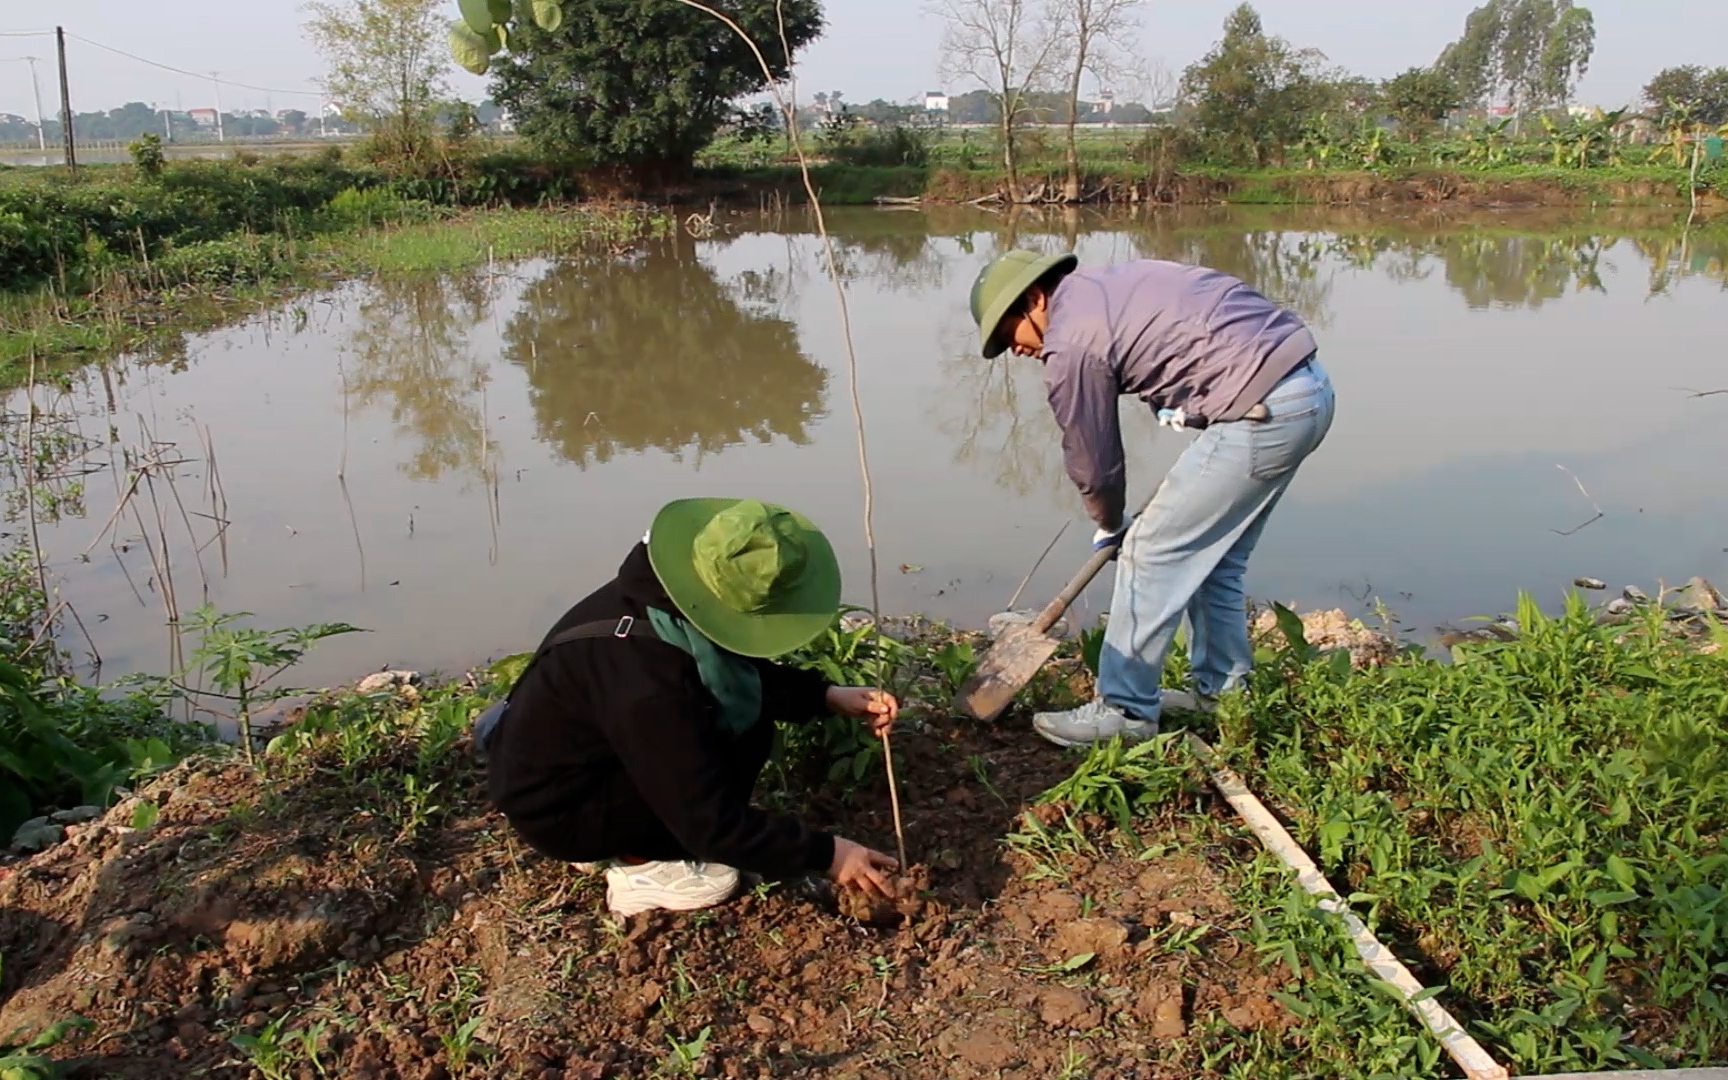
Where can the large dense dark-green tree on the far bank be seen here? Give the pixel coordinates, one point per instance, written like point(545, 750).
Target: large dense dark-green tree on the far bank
point(642, 84)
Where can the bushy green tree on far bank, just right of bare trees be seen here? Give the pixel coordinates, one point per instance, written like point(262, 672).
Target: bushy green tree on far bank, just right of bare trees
point(1254, 92)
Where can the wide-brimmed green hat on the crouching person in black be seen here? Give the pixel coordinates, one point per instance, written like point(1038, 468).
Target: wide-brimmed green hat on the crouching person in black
point(754, 578)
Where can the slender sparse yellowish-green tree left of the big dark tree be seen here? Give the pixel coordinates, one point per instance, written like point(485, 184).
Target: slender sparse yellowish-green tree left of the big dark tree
point(386, 67)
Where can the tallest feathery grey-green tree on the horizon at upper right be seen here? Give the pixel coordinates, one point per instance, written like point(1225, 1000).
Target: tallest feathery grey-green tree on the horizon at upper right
point(1527, 53)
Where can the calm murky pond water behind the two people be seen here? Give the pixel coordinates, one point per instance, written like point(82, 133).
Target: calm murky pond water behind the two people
point(450, 462)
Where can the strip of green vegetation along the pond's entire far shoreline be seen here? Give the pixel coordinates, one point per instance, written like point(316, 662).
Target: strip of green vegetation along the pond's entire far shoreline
point(120, 257)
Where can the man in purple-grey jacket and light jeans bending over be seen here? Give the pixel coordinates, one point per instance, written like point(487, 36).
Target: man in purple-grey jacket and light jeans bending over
point(1209, 355)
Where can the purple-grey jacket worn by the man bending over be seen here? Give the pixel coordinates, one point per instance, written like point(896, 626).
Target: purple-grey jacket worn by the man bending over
point(1183, 338)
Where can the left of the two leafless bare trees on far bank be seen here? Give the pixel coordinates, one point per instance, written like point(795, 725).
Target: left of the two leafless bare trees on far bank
point(1012, 49)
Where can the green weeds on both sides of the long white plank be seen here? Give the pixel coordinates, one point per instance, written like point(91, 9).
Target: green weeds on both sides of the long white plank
point(1539, 827)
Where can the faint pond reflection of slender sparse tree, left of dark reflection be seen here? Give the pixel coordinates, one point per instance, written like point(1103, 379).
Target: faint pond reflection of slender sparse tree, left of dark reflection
point(412, 350)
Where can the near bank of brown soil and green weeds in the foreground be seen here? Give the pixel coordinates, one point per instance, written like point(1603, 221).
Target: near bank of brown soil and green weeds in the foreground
point(1537, 829)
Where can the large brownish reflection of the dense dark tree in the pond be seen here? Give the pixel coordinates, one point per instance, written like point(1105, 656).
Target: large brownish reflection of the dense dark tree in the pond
point(656, 352)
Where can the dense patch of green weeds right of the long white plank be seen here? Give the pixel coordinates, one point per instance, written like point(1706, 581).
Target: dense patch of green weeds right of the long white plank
point(1542, 820)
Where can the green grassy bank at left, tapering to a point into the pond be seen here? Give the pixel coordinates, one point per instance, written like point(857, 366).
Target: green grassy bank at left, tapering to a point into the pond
point(200, 258)
